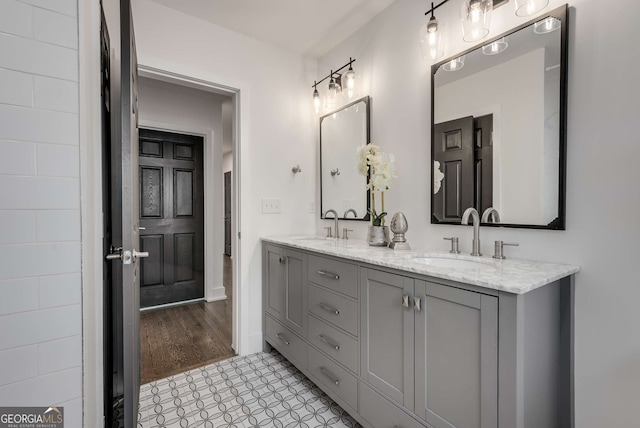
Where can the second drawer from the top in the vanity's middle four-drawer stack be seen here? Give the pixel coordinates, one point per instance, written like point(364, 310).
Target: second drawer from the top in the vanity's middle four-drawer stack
point(333, 308)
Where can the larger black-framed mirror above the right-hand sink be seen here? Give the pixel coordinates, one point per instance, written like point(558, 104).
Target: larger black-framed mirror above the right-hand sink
point(499, 128)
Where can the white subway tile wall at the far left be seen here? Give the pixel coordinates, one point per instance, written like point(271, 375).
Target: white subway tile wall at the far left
point(40, 282)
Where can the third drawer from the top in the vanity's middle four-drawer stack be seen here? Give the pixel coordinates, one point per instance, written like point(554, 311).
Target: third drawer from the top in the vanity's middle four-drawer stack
point(337, 344)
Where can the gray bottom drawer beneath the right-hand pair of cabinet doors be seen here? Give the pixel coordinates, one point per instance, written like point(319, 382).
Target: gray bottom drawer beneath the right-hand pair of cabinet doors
point(380, 412)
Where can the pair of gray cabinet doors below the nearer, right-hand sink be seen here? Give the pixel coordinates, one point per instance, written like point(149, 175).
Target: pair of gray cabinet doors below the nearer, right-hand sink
point(424, 343)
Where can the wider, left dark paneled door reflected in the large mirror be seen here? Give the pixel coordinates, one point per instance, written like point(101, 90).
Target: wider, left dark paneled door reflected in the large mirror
point(454, 148)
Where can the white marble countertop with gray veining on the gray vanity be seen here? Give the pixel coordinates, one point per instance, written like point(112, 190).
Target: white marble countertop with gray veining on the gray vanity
point(510, 275)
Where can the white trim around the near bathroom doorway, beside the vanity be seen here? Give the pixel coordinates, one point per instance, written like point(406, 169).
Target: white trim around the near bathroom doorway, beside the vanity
point(240, 319)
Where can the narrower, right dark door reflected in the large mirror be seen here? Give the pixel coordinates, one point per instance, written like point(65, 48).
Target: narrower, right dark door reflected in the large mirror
point(483, 128)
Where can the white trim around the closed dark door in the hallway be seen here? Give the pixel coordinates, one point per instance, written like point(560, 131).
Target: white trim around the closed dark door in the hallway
point(213, 285)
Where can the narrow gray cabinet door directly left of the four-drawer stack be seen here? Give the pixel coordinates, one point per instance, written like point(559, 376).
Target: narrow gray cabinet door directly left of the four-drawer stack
point(295, 292)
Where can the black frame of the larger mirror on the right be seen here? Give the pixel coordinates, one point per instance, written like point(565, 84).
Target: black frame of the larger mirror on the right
point(559, 223)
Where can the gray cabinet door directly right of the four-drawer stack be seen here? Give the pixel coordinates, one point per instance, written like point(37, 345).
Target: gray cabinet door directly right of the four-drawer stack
point(387, 334)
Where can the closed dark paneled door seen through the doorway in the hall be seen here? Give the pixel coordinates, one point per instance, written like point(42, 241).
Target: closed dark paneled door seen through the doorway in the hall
point(172, 217)
